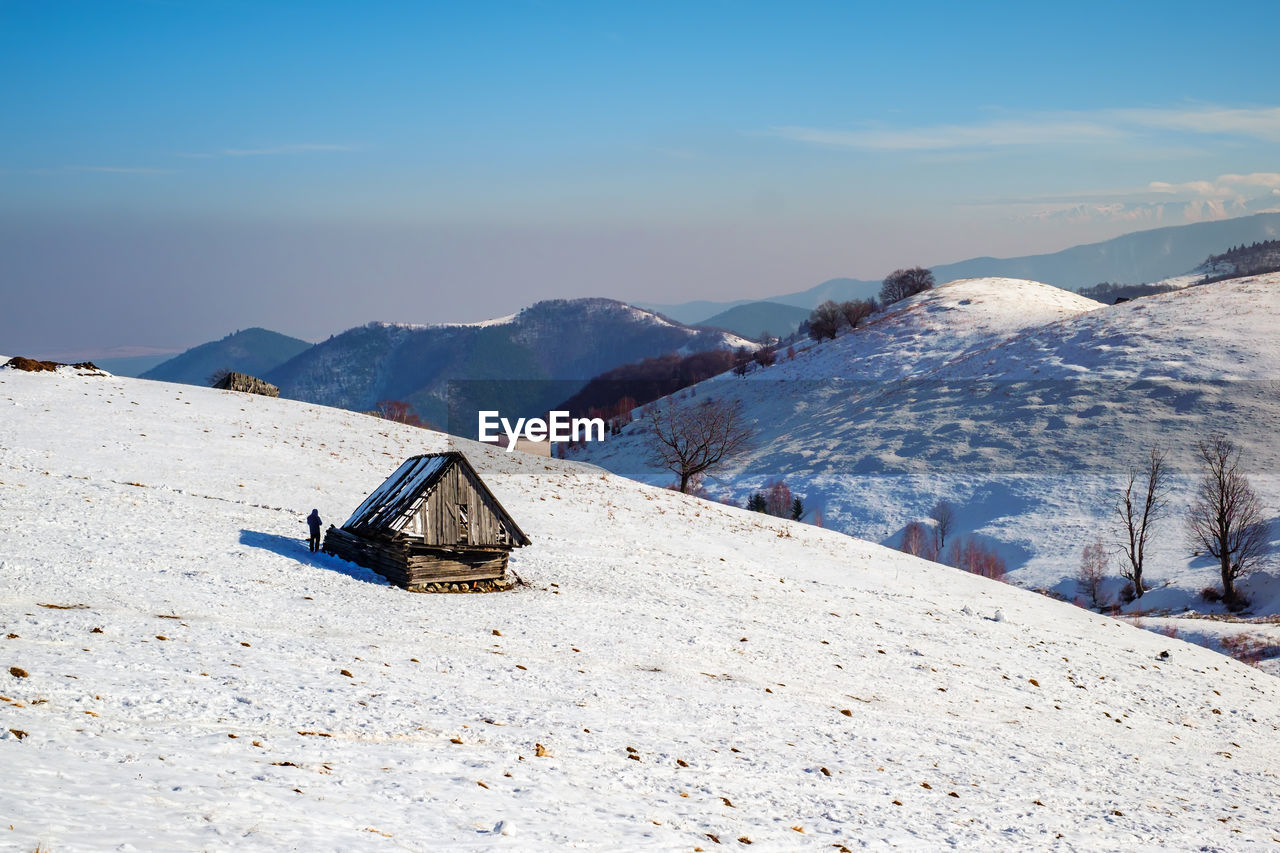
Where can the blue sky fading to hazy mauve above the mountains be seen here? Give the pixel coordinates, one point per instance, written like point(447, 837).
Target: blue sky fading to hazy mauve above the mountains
point(172, 171)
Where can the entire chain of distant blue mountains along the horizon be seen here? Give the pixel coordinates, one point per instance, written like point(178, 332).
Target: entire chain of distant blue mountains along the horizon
point(546, 354)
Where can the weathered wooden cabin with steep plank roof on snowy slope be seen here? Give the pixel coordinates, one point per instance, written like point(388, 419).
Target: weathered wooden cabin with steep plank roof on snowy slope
point(429, 526)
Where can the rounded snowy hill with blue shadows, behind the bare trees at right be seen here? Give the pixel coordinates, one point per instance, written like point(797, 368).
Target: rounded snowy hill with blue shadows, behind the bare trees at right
point(1023, 405)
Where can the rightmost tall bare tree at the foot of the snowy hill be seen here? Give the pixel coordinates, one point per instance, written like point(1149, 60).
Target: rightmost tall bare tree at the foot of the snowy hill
point(1227, 519)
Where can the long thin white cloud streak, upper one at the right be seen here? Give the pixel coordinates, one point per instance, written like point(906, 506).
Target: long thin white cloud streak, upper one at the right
point(1049, 130)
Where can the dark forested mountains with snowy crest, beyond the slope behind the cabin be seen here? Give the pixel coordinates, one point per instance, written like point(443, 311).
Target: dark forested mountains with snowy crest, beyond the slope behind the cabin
point(519, 366)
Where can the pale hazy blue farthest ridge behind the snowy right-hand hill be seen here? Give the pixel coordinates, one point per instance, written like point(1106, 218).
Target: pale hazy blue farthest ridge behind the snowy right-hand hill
point(1130, 259)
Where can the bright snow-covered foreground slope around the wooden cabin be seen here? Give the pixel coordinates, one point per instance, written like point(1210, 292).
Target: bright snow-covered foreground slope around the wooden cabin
point(180, 673)
